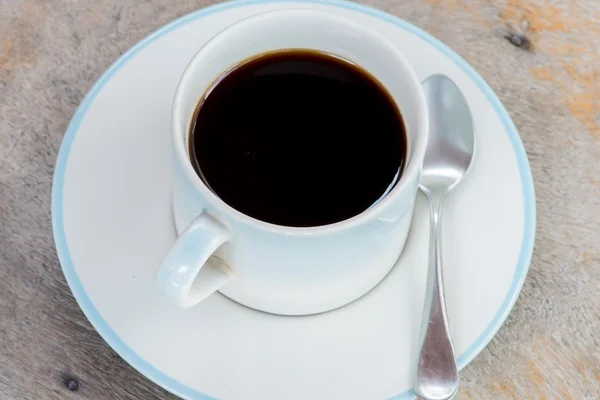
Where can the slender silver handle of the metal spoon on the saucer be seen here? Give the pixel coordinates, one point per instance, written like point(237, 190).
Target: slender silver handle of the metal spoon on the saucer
point(437, 374)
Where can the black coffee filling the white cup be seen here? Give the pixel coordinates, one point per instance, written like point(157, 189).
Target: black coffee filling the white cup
point(298, 138)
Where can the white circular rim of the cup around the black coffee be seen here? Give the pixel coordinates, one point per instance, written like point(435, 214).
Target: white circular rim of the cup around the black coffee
point(412, 167)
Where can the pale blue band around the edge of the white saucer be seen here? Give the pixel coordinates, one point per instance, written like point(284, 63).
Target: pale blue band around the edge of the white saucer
point(171, 384)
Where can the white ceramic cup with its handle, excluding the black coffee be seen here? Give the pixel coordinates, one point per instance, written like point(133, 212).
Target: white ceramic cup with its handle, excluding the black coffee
point(279, 269)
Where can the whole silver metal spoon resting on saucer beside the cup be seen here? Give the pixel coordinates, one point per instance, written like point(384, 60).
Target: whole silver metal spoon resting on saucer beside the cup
point(447, 159)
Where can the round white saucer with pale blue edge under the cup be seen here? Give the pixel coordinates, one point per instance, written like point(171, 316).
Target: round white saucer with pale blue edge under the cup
point(112, 225)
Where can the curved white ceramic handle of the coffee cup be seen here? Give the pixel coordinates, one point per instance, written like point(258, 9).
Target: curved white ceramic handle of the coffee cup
point(189, 273)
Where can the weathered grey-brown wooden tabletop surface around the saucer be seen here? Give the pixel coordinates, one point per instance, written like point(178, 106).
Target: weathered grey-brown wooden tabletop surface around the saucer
point(546, 73)
